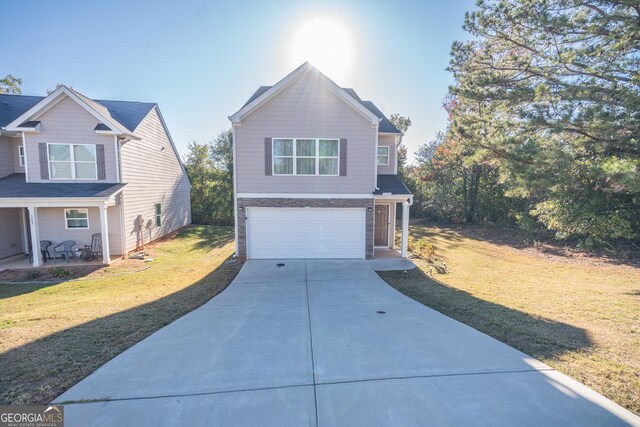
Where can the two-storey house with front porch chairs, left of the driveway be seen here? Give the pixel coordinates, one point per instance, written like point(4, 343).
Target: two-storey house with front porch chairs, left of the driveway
point(71, 167)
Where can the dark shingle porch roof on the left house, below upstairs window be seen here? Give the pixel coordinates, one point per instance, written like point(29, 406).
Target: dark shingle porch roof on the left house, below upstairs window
point(15, 185)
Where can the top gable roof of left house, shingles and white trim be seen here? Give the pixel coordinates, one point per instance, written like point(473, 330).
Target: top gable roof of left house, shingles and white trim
point(124, 114)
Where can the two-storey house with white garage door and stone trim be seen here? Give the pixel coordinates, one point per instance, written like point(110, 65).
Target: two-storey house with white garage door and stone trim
point(315, 172)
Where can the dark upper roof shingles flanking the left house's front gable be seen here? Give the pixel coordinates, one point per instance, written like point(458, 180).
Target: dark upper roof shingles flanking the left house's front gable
point(128, 114)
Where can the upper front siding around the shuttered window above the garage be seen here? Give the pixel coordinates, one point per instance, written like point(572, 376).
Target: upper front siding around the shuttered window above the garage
point(305, 109)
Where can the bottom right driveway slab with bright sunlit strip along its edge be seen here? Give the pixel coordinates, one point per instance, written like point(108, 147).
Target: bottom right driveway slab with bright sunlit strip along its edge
point(533, 399)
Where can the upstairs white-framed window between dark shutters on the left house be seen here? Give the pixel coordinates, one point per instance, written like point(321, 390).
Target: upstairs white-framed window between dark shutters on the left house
point(68, 161)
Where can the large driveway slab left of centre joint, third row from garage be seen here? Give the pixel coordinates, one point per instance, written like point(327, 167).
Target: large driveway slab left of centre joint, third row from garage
point(208, 351)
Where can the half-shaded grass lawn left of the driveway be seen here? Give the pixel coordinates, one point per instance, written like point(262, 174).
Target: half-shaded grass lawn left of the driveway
point(53, 335)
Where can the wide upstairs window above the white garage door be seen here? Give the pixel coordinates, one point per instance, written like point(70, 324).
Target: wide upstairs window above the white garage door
point(306, 156)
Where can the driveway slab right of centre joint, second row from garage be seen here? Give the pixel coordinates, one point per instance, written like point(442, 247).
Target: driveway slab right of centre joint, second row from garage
point(345, 292)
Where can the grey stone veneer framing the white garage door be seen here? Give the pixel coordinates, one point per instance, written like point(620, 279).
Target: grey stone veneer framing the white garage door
point(301, 203)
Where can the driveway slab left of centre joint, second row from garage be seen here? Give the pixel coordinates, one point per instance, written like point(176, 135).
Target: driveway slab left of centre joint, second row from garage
point(261, 295)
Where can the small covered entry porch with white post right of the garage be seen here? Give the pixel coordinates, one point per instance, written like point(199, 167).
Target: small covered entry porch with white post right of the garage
point(390, 196)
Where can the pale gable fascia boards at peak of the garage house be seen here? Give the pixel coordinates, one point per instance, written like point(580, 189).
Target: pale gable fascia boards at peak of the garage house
point(290, 78)
